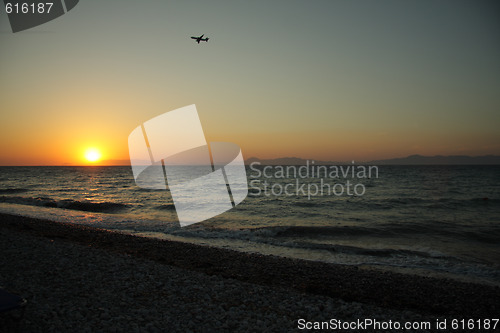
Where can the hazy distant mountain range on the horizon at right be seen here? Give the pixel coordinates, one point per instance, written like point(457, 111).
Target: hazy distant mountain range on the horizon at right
point(410, 160)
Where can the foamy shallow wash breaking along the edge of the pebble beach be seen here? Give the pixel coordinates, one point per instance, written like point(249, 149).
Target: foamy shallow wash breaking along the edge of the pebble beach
point(263, 241)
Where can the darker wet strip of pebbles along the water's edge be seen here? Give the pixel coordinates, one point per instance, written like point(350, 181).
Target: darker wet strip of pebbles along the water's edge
point(425, 295)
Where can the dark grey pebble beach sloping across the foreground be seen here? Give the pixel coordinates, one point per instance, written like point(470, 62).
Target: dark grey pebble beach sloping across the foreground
point(82, 279)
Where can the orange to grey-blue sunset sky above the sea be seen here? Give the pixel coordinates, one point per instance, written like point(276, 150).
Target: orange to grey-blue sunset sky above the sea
point(323, 80)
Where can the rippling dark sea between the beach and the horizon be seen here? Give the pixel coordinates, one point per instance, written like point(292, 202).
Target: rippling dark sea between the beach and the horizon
point(439, 221)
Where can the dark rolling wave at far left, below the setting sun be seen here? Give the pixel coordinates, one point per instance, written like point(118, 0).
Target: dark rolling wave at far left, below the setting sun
point(87, 206)
